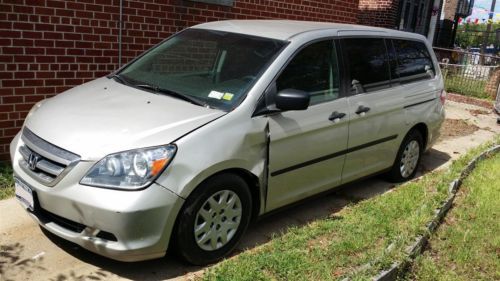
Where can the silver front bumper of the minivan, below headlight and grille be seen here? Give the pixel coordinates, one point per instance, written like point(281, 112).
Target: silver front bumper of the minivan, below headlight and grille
point(122, 225)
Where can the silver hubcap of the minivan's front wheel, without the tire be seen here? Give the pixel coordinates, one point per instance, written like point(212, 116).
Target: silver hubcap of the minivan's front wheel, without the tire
point(217, 220)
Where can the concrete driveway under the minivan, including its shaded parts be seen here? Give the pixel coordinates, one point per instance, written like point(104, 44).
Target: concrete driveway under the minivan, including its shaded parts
point(28, 253)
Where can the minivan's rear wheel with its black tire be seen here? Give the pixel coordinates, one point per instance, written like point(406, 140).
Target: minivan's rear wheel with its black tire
point(407, 160)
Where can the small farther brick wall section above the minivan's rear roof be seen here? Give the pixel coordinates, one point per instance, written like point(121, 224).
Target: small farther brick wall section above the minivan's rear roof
point(382, 13)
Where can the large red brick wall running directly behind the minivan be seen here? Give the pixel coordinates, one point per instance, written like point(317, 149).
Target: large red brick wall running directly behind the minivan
point(48, 46)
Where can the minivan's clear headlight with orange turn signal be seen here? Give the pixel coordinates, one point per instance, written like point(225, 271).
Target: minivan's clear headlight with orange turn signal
point(130, 170)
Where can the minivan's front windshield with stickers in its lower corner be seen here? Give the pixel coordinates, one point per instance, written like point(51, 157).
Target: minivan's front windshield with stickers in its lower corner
point(217, 68)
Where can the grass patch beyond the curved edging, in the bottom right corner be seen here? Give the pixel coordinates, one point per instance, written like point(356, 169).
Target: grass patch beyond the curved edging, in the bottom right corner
point(467, 246)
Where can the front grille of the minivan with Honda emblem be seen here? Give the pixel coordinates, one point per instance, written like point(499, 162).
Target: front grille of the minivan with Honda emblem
point(44, 161)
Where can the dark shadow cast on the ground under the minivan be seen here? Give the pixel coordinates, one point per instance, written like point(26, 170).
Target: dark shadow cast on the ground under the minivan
point(258, 233)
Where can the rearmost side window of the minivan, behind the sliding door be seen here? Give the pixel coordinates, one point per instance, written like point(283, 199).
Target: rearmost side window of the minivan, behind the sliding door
point(413, 61)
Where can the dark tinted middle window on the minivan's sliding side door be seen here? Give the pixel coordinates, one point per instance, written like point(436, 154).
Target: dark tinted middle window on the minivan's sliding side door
point(368, 64)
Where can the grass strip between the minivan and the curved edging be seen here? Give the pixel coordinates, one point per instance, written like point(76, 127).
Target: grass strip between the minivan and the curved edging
point(336, 247)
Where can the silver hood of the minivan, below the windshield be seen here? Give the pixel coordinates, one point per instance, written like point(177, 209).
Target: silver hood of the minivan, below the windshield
point(104, 116)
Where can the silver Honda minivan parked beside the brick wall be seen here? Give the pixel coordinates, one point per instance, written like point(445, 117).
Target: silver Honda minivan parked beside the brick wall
point(219, 124)
